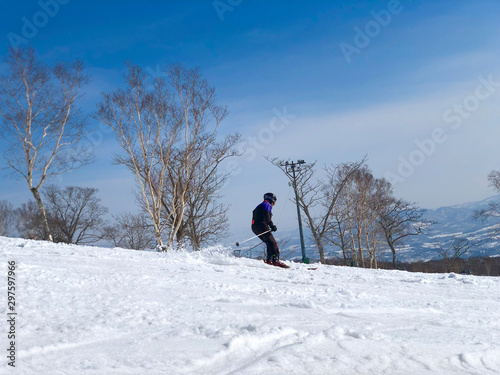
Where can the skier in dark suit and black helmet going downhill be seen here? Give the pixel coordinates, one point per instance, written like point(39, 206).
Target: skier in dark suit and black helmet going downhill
point(262, 225)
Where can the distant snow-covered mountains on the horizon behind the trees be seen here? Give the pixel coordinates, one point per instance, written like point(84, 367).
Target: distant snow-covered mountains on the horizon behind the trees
point(452, 222)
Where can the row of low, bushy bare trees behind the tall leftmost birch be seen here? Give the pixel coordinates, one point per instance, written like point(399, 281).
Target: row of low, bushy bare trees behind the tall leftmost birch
point(75, 215)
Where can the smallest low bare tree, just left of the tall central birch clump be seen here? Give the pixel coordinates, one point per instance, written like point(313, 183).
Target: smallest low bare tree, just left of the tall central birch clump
point(130, 232)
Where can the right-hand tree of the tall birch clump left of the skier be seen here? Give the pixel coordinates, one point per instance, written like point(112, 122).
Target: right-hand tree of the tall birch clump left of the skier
point(193, 180)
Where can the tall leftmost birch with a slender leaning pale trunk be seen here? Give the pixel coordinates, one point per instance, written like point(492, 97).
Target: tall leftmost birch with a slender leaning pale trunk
point(40, 120)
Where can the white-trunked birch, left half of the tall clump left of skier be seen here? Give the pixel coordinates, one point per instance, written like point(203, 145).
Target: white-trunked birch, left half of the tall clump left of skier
point(146, 126)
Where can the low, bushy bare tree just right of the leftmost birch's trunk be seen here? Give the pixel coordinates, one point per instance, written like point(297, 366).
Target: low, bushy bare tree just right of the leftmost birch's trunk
point(75, 214)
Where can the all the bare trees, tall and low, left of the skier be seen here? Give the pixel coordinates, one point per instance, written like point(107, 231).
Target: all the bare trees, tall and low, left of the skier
point(167, 129)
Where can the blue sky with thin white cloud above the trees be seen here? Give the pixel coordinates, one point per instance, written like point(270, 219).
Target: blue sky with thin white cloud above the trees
point(281, 69)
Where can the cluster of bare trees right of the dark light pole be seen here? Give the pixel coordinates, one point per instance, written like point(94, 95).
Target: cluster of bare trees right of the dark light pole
point(353, 211)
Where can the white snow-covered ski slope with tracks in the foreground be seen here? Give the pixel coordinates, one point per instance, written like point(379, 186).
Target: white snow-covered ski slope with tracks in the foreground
point(87, 310)
